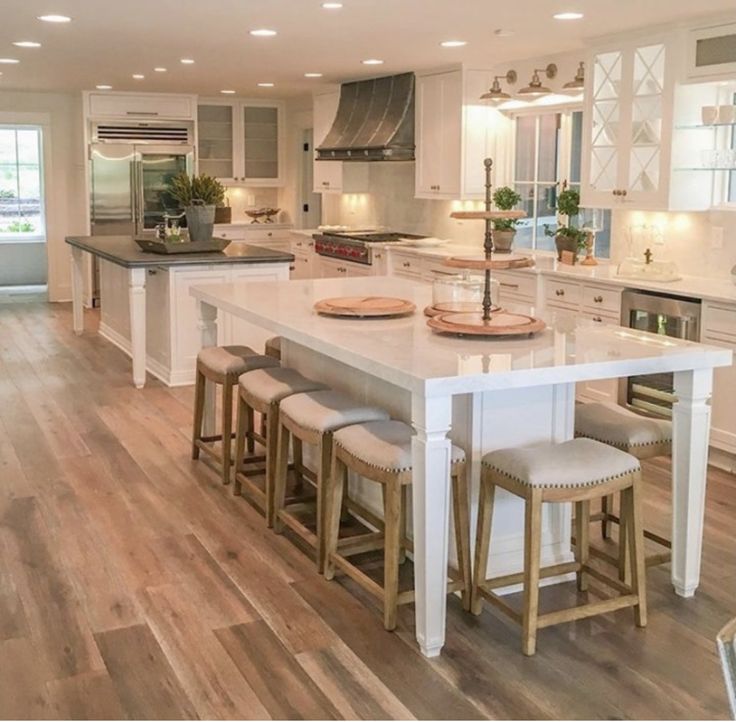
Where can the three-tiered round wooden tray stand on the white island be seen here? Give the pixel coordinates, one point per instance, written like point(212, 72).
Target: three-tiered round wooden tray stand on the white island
point(486, 321)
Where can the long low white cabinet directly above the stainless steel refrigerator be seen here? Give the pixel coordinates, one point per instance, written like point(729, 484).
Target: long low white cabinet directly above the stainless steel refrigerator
point(139, 106)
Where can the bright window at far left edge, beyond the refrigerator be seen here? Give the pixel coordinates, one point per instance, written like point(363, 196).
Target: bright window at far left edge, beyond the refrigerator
point(21, 184)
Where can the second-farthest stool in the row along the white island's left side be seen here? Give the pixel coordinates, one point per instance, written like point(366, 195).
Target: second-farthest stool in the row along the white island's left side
point(262, 391)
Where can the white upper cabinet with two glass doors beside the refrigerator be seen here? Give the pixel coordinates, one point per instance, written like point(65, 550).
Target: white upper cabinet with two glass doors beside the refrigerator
point(242, 141)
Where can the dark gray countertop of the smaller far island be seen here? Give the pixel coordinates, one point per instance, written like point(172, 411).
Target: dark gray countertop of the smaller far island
point(123, 251)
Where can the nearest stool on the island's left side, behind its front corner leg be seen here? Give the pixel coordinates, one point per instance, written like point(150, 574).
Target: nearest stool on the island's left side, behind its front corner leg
point(380, 451)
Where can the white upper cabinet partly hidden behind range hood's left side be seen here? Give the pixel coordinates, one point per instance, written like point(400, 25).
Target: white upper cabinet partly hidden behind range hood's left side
point(334, 176)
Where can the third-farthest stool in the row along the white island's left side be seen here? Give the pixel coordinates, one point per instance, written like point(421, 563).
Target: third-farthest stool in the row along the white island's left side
point(312, 418)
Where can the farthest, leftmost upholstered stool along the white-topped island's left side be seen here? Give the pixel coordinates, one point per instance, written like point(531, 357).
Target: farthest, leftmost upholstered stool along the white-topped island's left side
point(222, 365)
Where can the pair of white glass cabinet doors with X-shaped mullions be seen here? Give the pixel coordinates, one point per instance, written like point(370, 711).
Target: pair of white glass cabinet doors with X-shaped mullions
point(628, 126)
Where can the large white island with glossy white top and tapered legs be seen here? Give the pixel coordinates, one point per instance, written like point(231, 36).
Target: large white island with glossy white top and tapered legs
point(483, 394)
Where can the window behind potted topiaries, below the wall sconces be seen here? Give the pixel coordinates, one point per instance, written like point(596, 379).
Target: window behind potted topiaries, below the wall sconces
point(548, 154)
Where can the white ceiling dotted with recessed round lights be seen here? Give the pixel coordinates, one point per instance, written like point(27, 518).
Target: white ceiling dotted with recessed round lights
point(109, 41)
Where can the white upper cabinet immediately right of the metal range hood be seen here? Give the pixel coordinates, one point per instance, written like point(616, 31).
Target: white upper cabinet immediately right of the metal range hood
point(454, 132)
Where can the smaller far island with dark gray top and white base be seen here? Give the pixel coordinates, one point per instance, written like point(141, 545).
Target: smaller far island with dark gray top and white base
point(146, 308)
